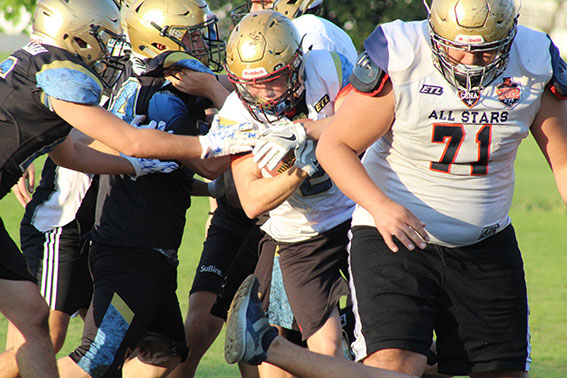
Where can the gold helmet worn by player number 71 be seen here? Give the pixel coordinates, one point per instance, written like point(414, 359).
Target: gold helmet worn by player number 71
point(475, 26)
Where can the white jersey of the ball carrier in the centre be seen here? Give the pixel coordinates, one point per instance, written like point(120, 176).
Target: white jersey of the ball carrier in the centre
point(317, 205)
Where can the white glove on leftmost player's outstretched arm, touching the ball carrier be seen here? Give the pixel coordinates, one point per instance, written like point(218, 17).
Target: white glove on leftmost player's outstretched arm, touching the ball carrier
point(227, 140)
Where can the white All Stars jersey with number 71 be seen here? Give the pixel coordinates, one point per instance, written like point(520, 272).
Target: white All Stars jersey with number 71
point(452, 164)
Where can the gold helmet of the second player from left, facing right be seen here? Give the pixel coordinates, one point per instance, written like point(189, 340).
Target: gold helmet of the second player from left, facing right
point(155, 26)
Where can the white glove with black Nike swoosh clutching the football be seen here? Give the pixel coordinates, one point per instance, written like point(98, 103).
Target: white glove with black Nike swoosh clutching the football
point(276, 142)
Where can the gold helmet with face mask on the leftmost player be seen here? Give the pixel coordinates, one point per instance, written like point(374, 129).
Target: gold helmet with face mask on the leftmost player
point(89, 29)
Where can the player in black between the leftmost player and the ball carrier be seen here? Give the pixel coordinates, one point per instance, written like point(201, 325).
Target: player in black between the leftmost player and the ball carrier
point(139, 223)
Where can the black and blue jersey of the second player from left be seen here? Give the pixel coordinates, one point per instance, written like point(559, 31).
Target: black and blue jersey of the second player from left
point(150, 211)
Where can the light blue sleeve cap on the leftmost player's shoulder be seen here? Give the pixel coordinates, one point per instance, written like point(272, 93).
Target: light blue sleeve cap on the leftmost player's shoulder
point(68, 81)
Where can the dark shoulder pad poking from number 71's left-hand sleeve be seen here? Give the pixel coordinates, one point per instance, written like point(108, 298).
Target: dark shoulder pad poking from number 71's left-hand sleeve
point(367, 77)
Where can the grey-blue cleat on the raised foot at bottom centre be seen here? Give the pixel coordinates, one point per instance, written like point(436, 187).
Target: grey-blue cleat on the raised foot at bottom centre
point(247, 330)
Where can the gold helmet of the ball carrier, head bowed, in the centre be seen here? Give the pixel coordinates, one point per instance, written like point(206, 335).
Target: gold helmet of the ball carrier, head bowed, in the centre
point(264, 47)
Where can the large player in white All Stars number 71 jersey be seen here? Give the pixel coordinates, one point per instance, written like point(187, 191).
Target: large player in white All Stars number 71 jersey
point(451, 99)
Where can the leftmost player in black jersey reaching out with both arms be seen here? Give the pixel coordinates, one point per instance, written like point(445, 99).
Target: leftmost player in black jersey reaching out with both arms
point(51, 85)
